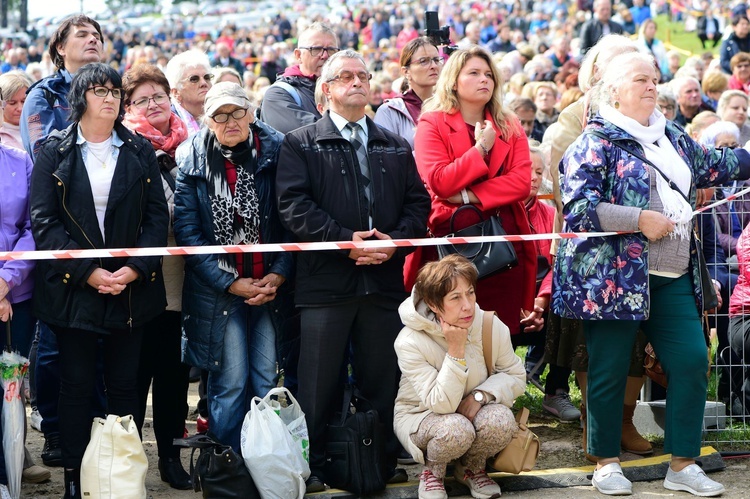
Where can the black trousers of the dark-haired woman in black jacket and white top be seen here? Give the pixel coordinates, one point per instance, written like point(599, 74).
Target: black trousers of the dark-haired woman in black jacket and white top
point(78, 350)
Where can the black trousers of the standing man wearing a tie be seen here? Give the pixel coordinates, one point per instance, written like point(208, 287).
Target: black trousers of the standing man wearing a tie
point(372, 324)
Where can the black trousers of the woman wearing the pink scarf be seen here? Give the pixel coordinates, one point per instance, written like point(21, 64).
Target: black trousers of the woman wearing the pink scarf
point(161, 363)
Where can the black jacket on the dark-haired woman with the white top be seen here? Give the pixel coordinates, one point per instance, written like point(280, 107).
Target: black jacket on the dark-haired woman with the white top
point(63, 217)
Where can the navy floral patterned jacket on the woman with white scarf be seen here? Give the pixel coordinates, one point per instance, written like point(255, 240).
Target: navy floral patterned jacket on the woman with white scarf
point(607, 278)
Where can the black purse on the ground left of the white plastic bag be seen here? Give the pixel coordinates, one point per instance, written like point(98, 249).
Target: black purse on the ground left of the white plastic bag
point(219, 472)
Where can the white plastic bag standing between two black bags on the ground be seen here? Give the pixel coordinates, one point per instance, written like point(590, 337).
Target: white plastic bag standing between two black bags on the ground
point(272, 456)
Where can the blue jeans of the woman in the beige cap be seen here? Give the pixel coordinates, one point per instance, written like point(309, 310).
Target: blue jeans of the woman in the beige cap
point(248, 368)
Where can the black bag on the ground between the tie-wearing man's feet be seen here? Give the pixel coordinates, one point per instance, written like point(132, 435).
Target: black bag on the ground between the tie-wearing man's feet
point(354, 455)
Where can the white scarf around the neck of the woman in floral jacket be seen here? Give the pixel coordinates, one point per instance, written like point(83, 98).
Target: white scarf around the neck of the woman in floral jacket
point(660, 151)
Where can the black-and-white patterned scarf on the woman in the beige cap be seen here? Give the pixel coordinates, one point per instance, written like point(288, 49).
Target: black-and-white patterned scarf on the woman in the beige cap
point(236, 219)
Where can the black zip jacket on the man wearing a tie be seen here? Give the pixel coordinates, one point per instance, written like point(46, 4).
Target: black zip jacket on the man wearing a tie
point(318, 194)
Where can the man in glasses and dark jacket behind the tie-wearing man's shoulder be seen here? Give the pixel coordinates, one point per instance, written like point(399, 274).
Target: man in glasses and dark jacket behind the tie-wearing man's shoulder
point(290, 102)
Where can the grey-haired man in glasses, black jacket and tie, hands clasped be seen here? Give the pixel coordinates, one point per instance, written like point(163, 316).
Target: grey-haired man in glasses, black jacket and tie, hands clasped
point(345, 179)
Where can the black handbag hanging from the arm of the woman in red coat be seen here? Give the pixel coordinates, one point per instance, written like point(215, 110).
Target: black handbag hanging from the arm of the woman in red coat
point(487, 257)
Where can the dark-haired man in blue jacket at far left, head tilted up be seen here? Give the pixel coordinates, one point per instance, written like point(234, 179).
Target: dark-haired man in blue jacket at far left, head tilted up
point(77, 42)
